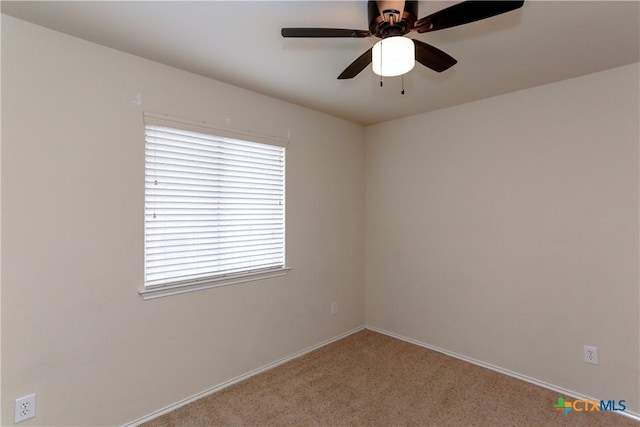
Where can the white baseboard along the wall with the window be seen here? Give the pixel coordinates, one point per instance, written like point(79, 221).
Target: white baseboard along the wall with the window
point(237, 379)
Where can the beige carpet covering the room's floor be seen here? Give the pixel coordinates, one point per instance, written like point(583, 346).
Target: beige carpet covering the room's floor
point(369, 379)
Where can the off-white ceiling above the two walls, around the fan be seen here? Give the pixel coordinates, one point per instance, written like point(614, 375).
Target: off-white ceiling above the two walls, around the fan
point(239, 42)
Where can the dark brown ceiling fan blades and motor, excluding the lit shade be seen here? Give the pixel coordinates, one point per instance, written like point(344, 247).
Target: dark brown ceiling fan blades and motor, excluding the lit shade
point(391, 18)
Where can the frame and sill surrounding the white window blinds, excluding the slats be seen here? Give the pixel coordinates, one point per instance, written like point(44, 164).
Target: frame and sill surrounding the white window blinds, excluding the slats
point(161, 290)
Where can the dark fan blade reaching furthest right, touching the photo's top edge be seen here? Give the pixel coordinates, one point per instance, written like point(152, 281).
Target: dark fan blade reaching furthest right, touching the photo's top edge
point(464, 13)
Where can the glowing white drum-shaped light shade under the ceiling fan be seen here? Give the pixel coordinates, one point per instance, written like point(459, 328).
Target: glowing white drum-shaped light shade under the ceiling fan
point(393, 56)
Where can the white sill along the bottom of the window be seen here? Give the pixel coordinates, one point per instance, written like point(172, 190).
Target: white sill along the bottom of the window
point(168, 290)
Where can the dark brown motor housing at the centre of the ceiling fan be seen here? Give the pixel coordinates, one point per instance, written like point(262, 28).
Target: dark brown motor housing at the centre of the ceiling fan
point(391, 18)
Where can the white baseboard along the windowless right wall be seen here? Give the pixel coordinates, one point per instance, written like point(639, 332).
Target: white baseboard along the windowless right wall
point(513, 374)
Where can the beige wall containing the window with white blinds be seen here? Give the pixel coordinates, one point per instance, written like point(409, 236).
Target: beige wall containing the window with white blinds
point(74, 329)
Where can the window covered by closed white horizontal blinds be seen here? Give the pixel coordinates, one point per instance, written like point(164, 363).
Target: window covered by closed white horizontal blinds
point(214, 207)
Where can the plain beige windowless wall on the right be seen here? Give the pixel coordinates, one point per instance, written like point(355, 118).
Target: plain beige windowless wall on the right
point(506, 230)
